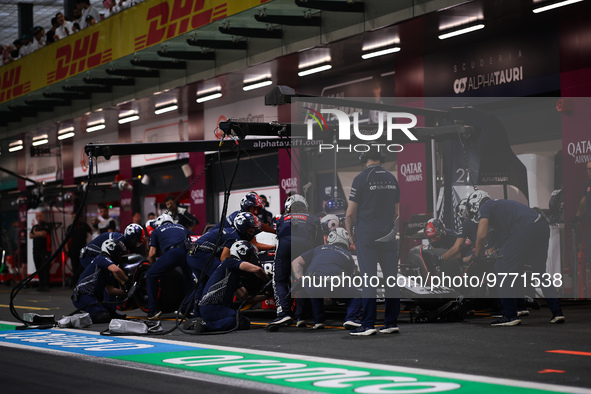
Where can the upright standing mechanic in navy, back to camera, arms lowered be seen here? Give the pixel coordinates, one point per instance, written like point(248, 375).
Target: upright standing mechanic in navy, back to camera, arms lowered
point(373, 208)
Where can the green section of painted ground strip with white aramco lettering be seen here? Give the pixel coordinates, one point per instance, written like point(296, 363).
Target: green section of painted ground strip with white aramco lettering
point(316, 376)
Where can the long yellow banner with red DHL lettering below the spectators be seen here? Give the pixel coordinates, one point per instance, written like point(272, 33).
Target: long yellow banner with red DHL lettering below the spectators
point(139, 27)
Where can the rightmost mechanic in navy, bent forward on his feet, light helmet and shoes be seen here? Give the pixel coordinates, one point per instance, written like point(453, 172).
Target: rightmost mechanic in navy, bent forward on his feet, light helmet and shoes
point(527, 238)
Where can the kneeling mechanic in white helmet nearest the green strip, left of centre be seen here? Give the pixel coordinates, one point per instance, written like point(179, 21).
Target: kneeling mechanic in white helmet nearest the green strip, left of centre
point(217, 304)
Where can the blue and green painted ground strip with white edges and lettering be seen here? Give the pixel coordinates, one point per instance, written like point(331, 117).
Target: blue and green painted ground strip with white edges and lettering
point(241, 366)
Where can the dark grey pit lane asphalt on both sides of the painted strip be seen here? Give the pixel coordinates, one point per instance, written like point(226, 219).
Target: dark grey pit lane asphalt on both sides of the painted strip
point(470, 347)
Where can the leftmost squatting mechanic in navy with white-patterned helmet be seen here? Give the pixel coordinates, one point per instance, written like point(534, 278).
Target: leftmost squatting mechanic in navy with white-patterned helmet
point(97, 279)
